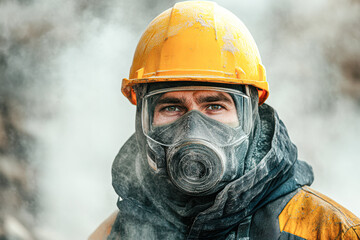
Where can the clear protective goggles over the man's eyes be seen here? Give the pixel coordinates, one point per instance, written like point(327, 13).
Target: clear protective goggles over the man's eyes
point(196, 112)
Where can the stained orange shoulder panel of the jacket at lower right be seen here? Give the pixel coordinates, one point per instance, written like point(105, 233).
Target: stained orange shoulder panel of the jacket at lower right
point(312, 215)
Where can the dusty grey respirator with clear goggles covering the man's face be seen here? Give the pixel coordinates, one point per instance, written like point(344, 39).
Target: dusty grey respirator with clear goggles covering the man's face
point(197, 136)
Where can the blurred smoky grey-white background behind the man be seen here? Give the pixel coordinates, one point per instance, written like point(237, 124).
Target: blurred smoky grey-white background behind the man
point(63, 117)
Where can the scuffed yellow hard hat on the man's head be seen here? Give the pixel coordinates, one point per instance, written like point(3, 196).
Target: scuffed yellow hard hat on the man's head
point(197, 41)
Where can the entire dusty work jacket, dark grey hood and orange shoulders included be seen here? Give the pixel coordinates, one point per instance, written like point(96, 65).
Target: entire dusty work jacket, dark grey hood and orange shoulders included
point(271, 200)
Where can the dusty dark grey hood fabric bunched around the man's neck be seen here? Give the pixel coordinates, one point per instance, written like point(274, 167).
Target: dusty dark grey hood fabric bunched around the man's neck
point(151, 207)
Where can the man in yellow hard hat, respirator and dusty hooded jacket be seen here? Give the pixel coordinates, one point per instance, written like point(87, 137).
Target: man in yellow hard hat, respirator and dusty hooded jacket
point(210, 160)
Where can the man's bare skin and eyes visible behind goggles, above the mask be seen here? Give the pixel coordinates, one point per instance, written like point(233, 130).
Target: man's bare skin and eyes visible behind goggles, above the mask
point(214, 104)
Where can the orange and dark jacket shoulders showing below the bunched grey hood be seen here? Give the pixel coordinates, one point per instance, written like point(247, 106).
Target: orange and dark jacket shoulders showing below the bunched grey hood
point(303, 214)
